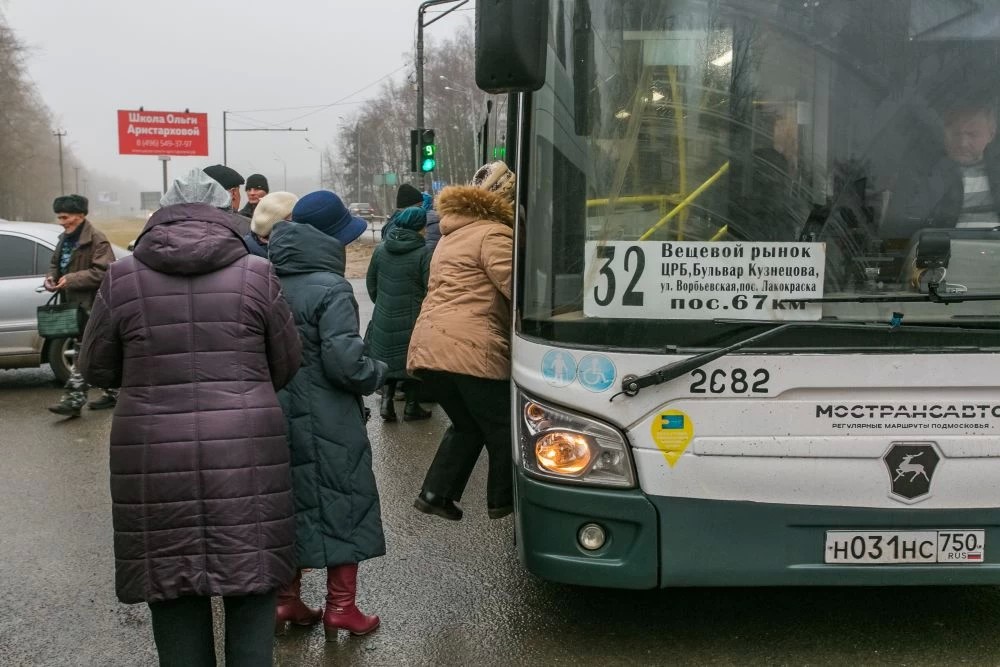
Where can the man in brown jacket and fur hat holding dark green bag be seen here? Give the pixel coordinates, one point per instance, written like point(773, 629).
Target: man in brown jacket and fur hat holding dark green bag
point(80, 260)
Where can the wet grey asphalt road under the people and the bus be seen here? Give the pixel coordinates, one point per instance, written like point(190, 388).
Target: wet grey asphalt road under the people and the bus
point(448, 594)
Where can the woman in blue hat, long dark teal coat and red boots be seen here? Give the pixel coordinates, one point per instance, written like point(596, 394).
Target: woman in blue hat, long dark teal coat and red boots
point(338, 521)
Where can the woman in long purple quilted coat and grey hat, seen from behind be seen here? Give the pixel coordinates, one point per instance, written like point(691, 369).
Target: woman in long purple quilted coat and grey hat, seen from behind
point(198, 336)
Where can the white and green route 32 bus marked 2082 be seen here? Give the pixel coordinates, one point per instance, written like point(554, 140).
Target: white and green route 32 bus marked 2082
point(757, 295)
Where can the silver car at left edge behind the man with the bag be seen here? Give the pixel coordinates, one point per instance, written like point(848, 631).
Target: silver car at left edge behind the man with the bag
point(25, 251)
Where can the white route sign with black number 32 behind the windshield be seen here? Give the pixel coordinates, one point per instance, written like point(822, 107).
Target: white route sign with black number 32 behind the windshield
point(703, 280)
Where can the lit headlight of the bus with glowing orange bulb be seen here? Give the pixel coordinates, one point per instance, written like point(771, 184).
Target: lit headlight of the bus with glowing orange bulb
point(557, 444)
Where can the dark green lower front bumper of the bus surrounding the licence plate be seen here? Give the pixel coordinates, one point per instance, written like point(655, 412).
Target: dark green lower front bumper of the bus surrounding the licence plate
point(655, 541)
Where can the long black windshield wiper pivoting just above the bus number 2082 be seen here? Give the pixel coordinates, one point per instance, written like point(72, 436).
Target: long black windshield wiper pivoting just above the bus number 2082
point(632, 384)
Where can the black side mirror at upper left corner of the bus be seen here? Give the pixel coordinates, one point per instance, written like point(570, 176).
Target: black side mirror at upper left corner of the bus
point(511, 41)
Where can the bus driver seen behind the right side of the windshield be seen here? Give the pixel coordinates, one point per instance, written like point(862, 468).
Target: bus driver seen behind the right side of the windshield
point(961, 187)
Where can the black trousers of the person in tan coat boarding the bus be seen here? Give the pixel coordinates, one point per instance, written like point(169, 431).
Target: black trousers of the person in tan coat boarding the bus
point(479, 410)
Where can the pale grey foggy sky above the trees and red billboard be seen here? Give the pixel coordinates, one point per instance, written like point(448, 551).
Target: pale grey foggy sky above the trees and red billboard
point(89, 58)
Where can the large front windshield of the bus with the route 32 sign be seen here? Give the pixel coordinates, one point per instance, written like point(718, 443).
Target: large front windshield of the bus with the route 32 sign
point(695, 163)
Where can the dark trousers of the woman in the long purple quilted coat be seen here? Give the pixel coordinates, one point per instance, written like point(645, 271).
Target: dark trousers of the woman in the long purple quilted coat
point(182, 629)
